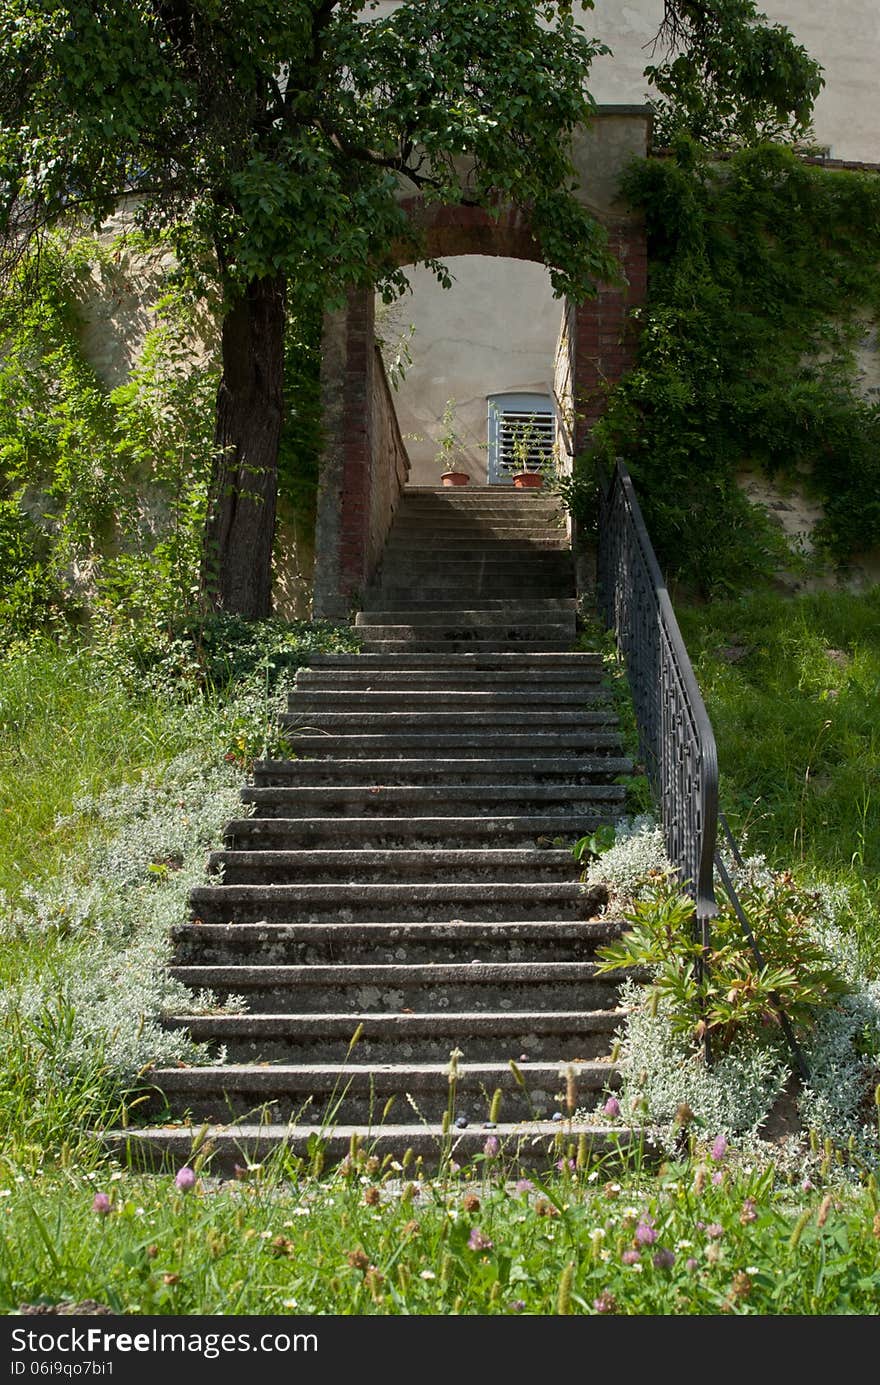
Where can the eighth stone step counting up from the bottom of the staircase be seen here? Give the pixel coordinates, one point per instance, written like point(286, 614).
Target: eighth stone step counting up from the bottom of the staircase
point(451, 830)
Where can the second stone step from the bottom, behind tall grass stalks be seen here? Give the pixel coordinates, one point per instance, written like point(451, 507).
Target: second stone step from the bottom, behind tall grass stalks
point(415, 1092)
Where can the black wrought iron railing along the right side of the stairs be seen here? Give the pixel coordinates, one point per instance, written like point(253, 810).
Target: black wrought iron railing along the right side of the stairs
point(676, 736)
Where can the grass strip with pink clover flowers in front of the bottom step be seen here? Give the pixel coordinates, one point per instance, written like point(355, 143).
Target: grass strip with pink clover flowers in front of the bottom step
point(368, 1242)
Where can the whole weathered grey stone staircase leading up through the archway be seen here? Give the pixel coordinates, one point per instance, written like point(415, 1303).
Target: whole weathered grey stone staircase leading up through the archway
point(408, 875)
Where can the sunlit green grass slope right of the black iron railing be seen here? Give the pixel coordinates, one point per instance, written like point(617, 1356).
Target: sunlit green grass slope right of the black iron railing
point(793, 690)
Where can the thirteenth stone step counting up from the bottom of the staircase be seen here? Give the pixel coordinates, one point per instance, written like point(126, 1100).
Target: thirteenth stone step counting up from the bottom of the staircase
point(533, 702)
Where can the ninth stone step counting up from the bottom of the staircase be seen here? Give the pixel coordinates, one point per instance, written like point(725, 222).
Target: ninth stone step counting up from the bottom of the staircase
point(355, 804)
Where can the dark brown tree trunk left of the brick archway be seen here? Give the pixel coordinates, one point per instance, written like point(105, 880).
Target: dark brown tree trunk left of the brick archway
point(242, 508)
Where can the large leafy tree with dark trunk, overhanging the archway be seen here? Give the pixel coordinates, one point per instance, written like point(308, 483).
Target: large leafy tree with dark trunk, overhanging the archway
point(268, 142)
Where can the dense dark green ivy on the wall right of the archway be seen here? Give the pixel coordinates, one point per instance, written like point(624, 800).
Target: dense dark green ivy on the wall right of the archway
point(764, 278)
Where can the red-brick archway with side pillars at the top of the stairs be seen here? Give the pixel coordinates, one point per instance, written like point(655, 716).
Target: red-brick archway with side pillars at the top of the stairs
point(365, 466)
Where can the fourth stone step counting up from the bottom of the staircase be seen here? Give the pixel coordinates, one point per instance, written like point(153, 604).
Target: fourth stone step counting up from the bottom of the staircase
point(545, 985)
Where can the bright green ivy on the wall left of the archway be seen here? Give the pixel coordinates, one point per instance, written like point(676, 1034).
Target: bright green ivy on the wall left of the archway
point(103, 492)
